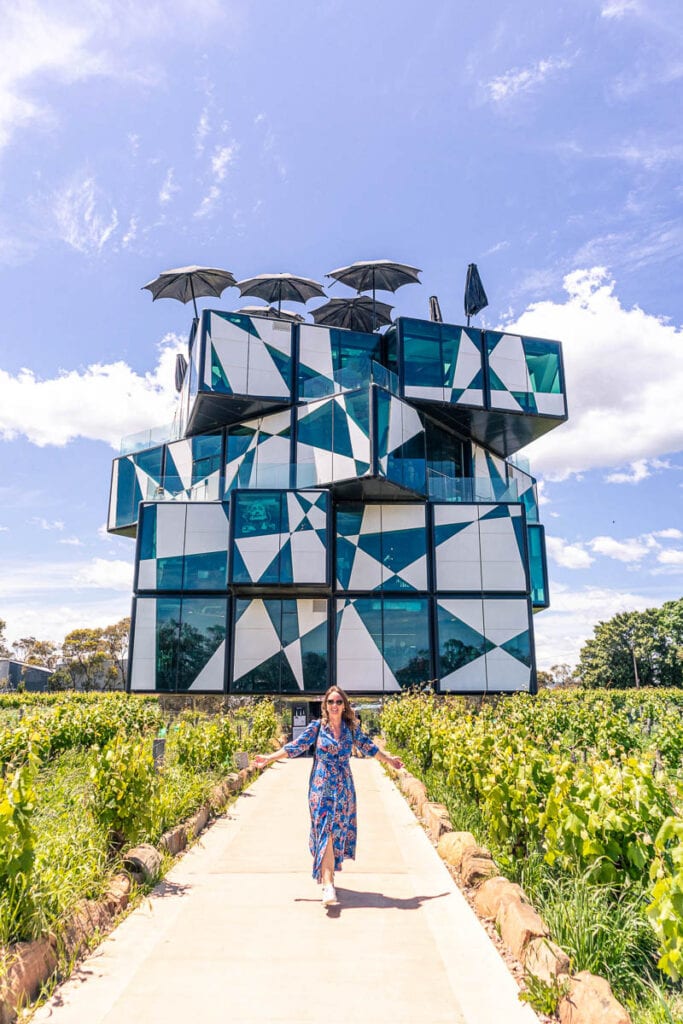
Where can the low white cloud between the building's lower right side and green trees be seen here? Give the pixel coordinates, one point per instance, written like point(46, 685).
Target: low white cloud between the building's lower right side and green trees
point(562, 631)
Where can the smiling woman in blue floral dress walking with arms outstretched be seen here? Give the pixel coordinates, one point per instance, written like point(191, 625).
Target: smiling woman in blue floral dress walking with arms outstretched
point(331, 792)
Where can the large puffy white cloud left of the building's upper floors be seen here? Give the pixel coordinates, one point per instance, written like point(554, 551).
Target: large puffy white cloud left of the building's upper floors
point(105, 402)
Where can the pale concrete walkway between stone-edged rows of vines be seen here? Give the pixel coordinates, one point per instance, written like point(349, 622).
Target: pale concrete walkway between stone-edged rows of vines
point(237, 933)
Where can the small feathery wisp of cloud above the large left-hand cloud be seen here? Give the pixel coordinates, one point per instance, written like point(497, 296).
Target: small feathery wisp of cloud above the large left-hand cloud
point(84, 217)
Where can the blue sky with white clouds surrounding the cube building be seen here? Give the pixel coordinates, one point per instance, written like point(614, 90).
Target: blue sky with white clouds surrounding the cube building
point(541, 142)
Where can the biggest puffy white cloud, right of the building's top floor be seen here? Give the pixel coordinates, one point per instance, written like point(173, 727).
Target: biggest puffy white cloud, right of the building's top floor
point(624, 379)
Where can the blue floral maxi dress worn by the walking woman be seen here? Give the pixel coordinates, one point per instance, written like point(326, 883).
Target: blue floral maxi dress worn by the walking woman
point(331, 793)
